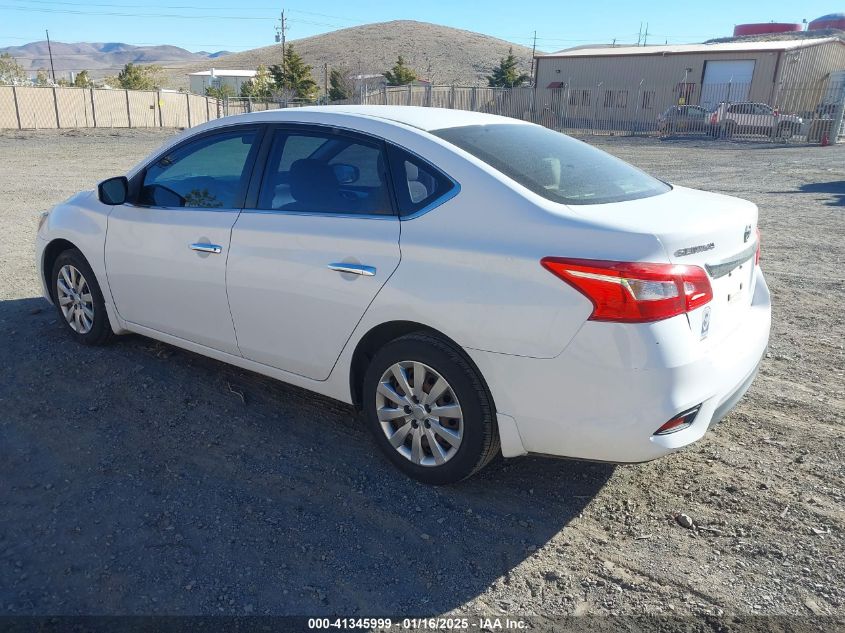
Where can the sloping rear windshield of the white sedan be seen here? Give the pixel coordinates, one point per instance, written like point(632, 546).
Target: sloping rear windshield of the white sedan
point(554, 165)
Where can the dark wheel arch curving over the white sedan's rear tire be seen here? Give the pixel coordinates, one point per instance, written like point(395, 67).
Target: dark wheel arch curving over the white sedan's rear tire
point(383, 333)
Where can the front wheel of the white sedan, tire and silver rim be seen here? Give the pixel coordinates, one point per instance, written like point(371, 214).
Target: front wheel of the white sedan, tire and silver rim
point(79, 300)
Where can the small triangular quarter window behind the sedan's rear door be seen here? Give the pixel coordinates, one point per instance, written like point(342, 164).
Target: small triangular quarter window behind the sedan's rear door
point(417, 183)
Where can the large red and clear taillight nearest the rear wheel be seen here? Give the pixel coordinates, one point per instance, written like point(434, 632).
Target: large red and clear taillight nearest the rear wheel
point(633, 292)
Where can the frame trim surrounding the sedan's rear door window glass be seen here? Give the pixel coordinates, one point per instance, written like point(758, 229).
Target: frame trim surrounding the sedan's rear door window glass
point(261, 165)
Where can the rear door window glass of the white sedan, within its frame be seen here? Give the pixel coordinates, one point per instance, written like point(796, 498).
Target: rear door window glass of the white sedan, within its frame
point(325, 172)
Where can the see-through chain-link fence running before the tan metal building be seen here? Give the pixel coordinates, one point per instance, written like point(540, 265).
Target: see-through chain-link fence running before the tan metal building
point(800, 113)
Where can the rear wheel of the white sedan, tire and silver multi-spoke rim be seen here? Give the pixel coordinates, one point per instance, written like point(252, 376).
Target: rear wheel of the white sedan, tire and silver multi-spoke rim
point(429, 410)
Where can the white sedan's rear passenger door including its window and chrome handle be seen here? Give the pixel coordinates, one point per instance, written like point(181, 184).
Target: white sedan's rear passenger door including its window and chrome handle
point(317, 241)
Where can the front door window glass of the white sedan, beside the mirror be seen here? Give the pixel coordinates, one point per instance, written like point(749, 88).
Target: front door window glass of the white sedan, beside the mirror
point(210, 172)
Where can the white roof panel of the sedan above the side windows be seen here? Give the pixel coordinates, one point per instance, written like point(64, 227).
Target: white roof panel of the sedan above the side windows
point(415, 116)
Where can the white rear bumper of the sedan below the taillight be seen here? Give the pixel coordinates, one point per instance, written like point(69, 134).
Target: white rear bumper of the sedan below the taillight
point(615, 384)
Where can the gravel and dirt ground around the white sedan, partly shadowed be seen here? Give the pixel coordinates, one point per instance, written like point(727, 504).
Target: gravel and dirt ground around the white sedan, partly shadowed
point(142, 479)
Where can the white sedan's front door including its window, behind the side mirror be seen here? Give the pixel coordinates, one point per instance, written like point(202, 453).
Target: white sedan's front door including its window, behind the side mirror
point(166, 249)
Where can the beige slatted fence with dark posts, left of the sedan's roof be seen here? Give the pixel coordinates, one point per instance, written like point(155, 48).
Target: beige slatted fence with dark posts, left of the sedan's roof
point(36, 107)
